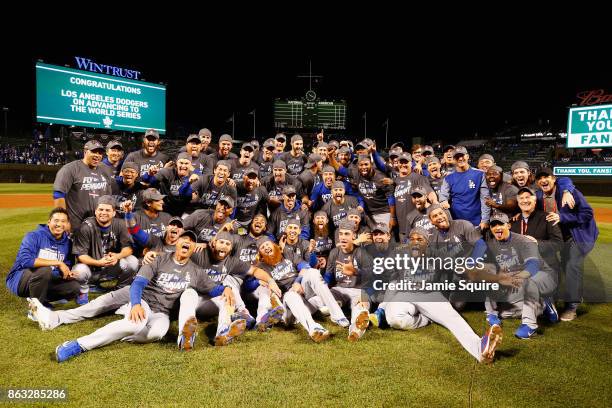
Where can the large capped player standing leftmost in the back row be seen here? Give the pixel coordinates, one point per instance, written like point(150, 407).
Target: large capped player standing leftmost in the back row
point(78, 184)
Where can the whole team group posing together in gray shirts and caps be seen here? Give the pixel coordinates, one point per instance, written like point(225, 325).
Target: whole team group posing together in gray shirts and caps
point(297, 234)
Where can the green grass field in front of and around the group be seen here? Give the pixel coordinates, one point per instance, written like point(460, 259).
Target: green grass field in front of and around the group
point(567, 365)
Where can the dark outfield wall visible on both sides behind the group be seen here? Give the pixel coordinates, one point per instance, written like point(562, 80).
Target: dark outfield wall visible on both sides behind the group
point(25, 173)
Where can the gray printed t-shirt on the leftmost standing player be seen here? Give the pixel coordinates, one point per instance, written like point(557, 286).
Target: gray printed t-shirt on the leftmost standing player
point(82, 187)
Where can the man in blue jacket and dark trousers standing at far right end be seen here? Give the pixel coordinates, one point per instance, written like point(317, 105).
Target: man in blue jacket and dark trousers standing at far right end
point(579, 234)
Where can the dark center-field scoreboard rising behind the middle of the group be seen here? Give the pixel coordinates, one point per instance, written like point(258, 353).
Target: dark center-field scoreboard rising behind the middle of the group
point(307, 114)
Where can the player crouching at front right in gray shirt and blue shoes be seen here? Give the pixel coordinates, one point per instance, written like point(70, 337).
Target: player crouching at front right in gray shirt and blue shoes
point(518, 254)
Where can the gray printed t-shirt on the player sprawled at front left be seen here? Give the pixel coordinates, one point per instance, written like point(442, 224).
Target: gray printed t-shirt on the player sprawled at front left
point(168, 279)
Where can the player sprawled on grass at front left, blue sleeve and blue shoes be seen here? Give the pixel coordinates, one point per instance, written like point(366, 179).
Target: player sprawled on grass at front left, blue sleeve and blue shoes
point(152, 295)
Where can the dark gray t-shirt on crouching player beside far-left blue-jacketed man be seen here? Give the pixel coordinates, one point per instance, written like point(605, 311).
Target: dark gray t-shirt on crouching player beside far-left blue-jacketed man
point(96, 241)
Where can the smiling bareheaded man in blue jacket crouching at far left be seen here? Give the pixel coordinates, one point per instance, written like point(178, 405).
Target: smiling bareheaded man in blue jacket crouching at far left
point(42, 268)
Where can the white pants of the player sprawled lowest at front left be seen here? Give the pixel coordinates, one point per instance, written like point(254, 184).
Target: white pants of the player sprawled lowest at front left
point(153, 328)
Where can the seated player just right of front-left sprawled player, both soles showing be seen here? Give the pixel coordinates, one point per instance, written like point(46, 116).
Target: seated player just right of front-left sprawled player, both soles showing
point(220, 267)
